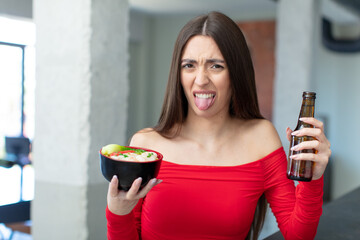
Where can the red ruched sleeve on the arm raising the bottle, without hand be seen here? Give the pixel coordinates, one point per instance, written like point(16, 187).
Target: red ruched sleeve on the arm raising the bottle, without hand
point(297, 210)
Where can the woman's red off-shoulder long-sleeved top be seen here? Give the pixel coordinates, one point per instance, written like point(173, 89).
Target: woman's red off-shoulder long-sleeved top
point(218, 202)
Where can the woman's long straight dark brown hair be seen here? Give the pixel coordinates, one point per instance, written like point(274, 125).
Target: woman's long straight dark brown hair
point(244, 102)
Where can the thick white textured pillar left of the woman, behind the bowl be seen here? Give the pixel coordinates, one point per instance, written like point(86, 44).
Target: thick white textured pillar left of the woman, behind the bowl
point(81, 105)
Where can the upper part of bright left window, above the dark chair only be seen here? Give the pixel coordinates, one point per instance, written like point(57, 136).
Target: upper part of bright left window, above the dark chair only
point(17, 79)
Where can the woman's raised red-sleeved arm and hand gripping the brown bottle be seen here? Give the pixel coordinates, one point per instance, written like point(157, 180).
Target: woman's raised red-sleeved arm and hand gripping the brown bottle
point(298, 210)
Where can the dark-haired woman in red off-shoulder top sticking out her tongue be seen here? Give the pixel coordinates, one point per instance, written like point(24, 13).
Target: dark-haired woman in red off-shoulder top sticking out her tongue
point(221, 157)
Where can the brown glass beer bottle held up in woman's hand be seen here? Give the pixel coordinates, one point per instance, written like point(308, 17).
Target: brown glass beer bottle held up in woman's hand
point(301, 170)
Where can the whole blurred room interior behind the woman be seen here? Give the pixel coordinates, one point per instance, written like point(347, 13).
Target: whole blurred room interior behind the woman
point(77, 75)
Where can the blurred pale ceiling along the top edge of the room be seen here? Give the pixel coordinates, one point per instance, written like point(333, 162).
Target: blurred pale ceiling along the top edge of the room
point(334, 10)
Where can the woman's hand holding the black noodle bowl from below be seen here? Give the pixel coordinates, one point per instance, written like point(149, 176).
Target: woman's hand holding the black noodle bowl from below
point(120, 202)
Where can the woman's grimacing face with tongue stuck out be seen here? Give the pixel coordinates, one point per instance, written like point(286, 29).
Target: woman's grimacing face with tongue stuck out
point(205, 77)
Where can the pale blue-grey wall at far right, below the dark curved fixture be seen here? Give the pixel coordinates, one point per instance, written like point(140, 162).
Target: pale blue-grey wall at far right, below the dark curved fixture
point(337, 85)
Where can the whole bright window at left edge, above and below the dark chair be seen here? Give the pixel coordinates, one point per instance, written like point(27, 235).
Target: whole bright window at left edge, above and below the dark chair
point(17, 102)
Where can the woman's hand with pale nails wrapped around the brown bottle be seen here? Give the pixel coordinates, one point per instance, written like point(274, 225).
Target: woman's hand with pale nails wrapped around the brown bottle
point(320, 144)
